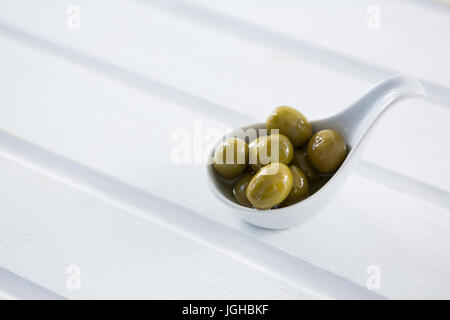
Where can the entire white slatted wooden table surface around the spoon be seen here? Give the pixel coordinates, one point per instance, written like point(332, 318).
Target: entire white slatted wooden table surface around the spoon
point(86, 120)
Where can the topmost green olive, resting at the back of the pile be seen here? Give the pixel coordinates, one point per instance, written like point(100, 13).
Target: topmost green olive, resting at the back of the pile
point(291, 123)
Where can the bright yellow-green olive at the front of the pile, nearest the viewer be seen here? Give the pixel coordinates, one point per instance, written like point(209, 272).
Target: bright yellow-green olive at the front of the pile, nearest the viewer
point(270, 186)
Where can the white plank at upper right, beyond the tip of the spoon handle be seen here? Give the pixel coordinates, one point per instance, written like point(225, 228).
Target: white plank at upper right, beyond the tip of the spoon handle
point(367, 39)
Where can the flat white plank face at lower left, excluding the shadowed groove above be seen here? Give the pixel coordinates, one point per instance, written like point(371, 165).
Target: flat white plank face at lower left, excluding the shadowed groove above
point(119, 256)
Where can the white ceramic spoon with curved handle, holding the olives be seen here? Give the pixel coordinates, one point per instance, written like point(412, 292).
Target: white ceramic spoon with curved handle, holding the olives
point(354, 124)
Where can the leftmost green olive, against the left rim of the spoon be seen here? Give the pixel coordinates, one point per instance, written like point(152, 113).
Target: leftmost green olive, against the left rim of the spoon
point(231, 158)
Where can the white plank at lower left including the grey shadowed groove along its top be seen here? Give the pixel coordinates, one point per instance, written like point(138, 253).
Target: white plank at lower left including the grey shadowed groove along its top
point(118, 236)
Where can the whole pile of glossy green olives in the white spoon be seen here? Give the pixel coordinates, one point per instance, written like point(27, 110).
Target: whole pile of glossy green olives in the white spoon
point(283, 167)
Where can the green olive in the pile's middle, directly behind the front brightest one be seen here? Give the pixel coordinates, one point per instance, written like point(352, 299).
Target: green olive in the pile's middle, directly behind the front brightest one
point(260, 151)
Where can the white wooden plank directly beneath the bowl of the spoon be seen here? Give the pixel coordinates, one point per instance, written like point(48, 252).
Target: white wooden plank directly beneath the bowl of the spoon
point(118, 131)
